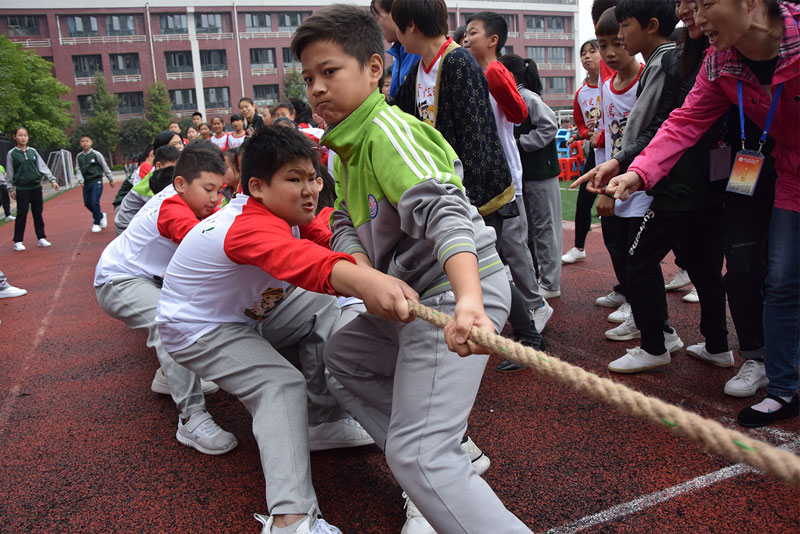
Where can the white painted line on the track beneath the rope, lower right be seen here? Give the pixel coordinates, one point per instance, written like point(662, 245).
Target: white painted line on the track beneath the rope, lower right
point(648, 501)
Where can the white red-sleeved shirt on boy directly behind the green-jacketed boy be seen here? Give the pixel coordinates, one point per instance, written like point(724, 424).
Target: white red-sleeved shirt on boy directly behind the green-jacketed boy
point(237, 266)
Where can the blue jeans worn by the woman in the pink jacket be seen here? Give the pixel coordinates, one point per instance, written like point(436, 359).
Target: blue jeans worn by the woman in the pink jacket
point(782, 304)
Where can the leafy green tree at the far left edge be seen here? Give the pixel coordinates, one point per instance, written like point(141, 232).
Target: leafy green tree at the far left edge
point(30, 96)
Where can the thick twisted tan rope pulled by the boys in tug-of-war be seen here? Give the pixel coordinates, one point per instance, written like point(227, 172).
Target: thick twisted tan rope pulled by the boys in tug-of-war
point(709, 434)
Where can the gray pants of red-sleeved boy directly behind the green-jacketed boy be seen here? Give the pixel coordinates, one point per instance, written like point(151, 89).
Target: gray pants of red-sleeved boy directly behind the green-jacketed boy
point(261, 368)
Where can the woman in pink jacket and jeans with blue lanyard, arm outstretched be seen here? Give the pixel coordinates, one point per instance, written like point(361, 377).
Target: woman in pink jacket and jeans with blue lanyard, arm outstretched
point(755, 63)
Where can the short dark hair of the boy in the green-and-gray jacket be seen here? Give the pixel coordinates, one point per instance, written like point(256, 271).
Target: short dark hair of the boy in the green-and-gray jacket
point(350, 27)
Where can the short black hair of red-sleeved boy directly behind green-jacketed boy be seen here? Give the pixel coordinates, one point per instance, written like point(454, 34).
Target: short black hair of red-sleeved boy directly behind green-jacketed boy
point(269, 149)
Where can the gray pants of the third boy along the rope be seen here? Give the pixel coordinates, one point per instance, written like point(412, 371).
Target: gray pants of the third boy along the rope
point(134, 302)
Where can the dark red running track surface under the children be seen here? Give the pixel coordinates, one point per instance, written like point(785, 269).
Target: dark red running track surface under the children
point(86, 447)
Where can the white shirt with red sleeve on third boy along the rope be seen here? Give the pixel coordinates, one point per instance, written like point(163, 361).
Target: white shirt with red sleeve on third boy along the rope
point(144, 249)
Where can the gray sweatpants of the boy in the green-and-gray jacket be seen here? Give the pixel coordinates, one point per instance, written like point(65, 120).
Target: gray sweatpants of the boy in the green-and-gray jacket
point(414, 396)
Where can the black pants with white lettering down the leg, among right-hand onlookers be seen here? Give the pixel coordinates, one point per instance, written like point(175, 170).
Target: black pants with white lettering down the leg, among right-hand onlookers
point(699, 236)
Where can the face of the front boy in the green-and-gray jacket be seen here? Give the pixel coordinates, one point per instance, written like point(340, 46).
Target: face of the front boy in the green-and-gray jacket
point(336, 82)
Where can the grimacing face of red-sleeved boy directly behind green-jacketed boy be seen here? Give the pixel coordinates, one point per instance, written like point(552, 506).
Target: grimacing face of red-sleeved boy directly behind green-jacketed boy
point(292, 193)
